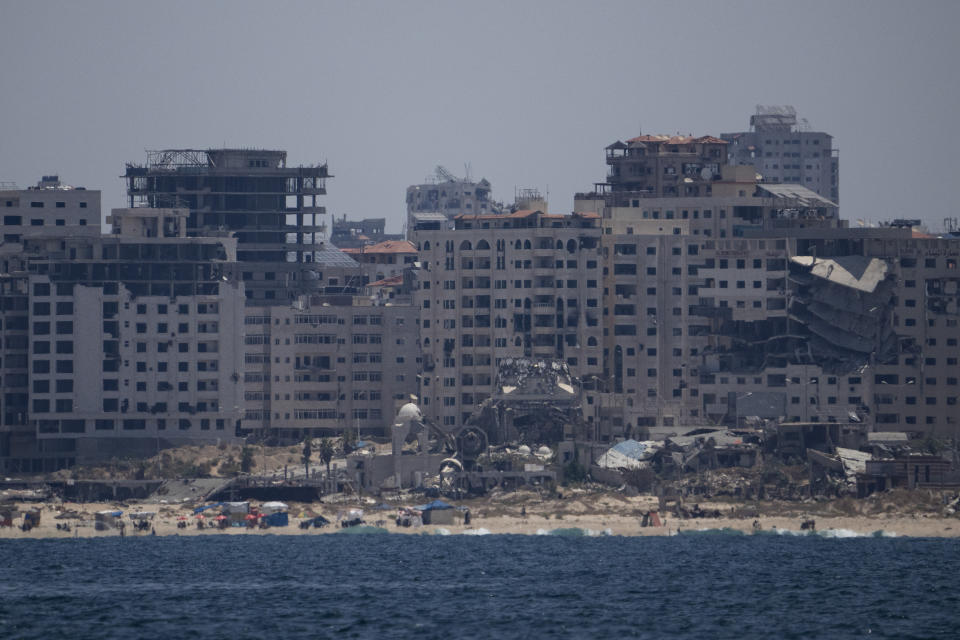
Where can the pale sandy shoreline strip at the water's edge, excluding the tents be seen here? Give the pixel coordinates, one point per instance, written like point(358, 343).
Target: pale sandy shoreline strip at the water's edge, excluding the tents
point(540, 519)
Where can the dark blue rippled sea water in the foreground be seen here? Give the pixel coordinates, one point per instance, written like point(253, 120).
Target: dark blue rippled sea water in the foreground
point(492, 586)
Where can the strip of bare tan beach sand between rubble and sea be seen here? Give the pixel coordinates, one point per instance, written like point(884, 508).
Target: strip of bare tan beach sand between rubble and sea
point(619, 517)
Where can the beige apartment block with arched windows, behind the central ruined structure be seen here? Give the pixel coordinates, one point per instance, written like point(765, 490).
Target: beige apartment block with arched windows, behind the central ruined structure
point(499, 287)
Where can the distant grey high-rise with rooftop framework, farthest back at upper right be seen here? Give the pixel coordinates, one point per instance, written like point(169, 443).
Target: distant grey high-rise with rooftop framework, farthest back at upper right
point(785, 151)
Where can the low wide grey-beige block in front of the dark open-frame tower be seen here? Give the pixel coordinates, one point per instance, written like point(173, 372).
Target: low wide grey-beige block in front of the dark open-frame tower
point(329, 362)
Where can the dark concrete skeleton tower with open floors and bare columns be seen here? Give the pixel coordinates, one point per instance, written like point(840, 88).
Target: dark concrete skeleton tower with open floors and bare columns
point(272, 209)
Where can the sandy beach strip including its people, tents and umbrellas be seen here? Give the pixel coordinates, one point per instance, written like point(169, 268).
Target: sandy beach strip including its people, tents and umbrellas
point(629, 517)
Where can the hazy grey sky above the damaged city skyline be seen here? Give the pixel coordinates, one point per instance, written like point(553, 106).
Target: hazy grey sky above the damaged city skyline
point(527, 93)
